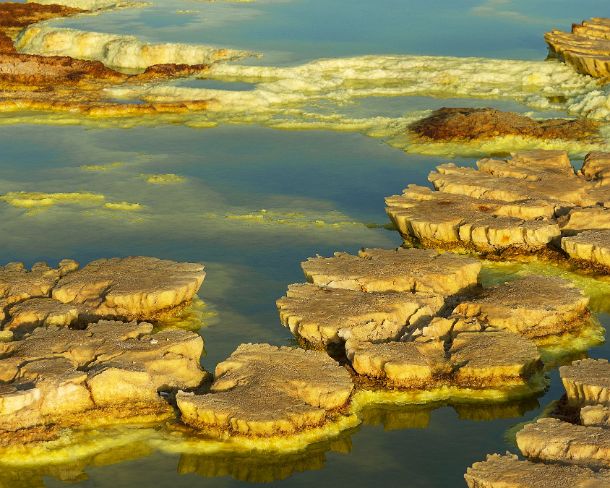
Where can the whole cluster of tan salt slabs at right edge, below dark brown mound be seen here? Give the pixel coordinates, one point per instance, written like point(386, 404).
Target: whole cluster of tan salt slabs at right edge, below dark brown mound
point(533, 202)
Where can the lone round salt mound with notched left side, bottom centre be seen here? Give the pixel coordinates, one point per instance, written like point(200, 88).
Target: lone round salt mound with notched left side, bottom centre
point(264, 391)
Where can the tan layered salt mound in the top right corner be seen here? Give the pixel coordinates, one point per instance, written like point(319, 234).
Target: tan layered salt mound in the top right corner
point(586, 48)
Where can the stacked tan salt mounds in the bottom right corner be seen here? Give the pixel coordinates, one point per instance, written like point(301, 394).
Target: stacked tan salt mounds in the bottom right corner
point(559, 452)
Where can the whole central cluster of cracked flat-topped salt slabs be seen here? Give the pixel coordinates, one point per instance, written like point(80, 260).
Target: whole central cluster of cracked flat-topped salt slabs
point(397, 338)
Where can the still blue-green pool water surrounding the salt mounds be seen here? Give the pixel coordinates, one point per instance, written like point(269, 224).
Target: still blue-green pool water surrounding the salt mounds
point(253, 201)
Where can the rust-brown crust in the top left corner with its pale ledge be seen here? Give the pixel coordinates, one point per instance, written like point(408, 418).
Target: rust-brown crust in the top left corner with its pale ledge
point(64, 83)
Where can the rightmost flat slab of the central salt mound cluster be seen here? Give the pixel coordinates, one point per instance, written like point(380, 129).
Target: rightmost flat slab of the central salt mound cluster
point(533, 306)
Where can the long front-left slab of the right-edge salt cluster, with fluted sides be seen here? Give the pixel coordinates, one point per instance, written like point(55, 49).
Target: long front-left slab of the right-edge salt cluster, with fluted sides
point(439, 219)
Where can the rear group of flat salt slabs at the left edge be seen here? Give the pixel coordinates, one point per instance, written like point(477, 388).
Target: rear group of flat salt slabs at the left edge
point(133, 288)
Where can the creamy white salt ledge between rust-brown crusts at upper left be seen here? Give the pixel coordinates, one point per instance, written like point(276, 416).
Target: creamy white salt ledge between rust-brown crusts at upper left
point(125, 52)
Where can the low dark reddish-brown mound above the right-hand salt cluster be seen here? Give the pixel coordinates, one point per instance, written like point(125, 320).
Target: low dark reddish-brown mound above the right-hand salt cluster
point(468, 124)
